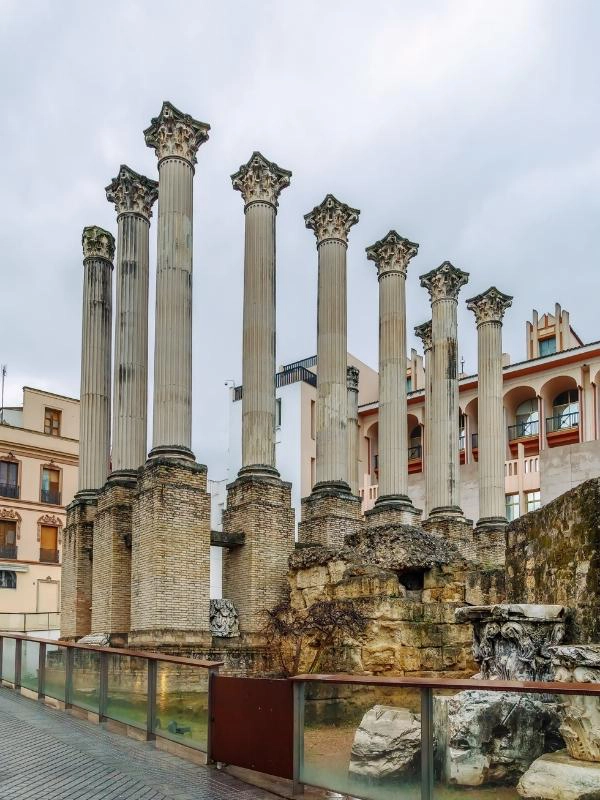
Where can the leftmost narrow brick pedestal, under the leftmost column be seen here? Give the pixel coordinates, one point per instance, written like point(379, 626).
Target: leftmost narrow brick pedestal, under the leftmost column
point(76, 581)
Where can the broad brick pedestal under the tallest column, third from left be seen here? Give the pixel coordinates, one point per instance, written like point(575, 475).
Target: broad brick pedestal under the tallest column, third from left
point(170, 555)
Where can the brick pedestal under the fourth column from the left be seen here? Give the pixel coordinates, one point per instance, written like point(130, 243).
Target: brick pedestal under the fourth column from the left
point(255, 574)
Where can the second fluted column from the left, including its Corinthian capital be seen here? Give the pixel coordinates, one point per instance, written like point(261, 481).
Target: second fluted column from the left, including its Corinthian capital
point(133, 196)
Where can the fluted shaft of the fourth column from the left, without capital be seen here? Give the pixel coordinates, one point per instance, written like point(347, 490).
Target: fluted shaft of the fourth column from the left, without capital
point(258, 352)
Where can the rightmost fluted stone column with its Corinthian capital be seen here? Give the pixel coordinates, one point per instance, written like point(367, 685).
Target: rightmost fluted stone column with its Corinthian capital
point(489, 308)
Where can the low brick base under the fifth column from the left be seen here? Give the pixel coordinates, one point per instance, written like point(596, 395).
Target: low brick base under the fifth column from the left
point(328, 516)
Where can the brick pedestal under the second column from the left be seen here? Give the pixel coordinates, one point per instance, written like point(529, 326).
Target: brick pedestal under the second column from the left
point(111, 586)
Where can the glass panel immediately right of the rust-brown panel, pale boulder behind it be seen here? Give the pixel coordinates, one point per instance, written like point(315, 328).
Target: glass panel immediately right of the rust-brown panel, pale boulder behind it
point(362, 741)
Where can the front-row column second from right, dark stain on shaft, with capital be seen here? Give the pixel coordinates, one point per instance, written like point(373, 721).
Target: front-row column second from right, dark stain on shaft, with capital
point(443, 285)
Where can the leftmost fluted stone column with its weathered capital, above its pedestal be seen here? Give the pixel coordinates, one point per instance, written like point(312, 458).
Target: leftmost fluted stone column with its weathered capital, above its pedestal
point(96, 341)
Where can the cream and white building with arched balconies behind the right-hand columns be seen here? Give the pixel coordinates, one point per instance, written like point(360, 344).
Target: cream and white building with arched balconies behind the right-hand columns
point(551, 409)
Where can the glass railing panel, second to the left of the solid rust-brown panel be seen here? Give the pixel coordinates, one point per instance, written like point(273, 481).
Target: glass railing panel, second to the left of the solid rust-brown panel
point(127, 695)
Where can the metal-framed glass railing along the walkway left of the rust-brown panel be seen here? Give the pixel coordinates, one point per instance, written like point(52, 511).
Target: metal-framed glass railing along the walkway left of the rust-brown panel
point(163, 696)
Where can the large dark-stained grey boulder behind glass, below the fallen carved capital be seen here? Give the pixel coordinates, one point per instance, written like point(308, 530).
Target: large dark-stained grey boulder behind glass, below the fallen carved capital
point(484, 742)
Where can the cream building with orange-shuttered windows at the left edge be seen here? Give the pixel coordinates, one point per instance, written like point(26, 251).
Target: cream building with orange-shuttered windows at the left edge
point(39, 445)
